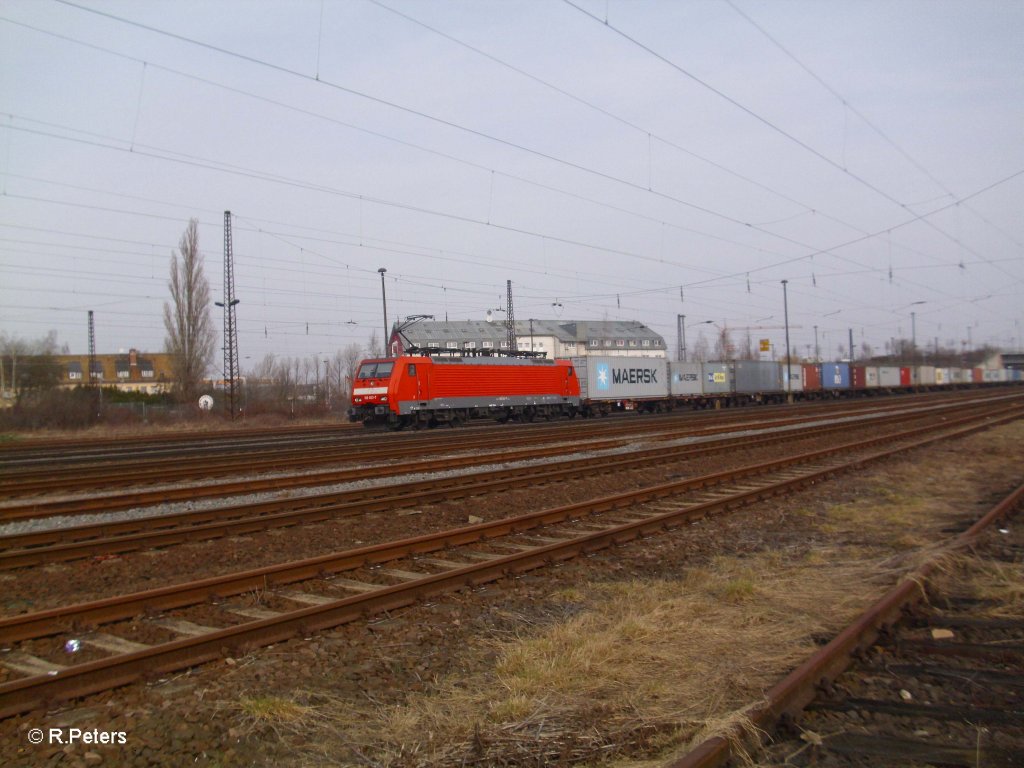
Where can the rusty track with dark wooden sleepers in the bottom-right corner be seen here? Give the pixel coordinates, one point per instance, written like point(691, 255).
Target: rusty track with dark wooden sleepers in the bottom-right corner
point(918, 679)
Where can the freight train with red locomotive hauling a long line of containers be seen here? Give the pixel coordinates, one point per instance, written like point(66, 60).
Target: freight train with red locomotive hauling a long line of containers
point(425, 392)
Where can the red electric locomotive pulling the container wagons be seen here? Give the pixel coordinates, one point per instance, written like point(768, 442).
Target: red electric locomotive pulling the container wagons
point(426, 392)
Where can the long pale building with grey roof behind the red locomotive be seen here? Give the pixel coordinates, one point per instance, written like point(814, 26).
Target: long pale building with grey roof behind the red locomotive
point(546, 337)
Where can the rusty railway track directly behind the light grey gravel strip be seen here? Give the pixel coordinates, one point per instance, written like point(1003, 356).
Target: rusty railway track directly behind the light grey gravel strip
point(471, 455)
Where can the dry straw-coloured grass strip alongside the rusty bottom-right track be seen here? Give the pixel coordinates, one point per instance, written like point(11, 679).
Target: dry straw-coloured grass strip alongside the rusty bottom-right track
point(645, 669)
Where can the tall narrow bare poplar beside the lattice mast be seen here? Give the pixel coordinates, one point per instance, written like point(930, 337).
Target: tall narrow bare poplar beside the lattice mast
point(191, 337)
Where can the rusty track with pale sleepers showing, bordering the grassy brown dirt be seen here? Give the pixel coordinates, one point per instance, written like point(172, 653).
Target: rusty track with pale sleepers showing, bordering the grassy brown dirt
point(156, 632)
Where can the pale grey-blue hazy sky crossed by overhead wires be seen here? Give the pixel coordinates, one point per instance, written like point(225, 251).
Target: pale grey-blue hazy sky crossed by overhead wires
point(616, 160)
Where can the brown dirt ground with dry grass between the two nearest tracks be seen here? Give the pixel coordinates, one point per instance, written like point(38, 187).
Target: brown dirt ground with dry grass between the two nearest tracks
point(622, 659)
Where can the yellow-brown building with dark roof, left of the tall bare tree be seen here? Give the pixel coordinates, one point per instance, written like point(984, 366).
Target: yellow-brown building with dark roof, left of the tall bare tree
point(150, 374)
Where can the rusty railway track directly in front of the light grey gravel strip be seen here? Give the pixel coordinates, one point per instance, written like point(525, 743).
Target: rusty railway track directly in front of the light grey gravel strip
point(69, 543)
